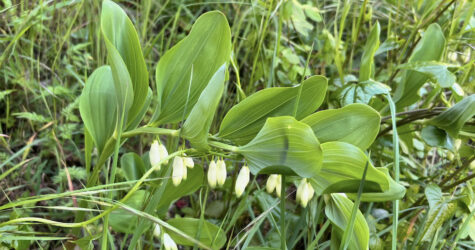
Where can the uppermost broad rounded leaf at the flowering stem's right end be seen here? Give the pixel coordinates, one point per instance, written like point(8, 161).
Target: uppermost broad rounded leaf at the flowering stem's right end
point(357, 124)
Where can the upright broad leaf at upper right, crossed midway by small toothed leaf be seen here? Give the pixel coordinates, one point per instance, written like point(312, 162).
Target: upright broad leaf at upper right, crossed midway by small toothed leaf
point(430, 48)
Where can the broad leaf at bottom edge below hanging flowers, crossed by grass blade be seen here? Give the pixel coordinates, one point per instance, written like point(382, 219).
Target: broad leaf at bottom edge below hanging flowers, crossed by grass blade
point(203, 231)
